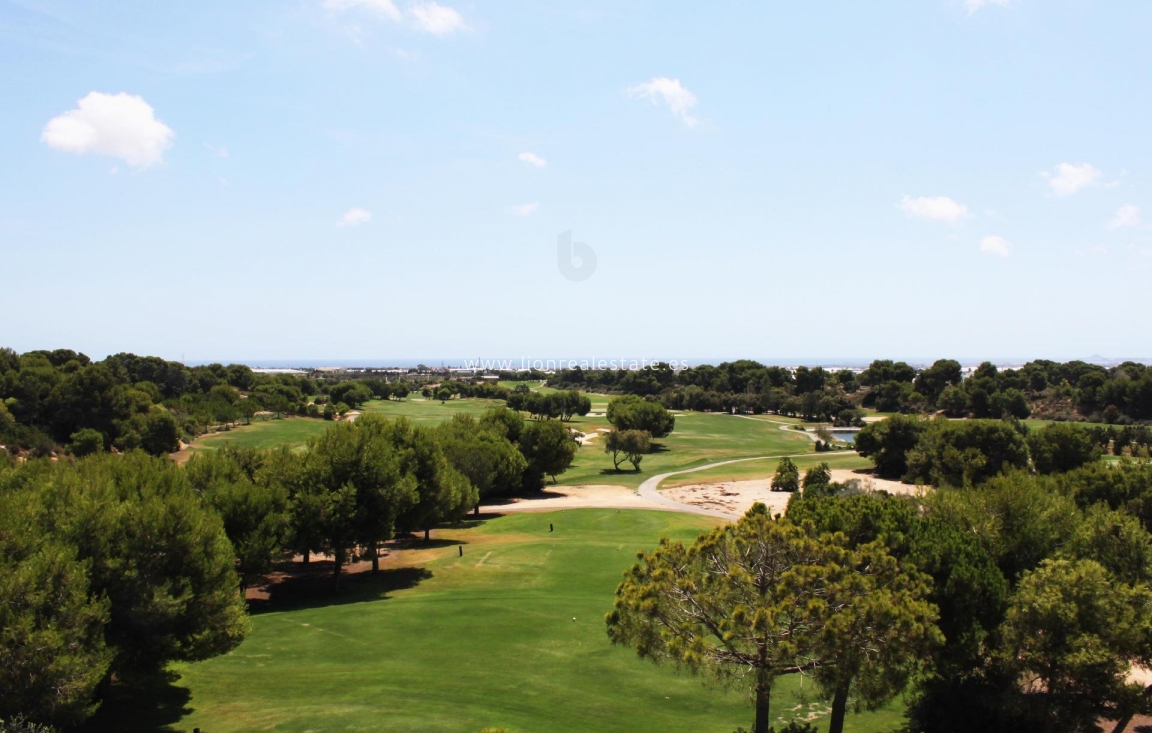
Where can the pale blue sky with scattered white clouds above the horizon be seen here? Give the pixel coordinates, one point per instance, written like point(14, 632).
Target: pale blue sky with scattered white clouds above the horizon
point(365, 179)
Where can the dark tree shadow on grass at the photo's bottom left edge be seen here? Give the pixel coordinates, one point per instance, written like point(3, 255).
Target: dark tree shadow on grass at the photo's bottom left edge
point(145, 705)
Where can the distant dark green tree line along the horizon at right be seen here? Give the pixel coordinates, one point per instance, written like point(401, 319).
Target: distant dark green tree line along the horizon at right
point(1073, 391)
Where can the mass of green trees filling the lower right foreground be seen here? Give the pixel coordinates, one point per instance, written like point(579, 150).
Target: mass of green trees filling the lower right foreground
point(1020, 604)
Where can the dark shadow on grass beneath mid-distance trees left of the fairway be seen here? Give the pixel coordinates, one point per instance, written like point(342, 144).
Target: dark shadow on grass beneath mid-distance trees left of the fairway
point(294, 586)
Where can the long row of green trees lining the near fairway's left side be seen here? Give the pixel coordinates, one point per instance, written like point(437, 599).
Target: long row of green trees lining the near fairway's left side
point(112, 566)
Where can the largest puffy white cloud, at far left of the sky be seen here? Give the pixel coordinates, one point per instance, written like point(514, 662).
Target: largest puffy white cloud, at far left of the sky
point(122, 126)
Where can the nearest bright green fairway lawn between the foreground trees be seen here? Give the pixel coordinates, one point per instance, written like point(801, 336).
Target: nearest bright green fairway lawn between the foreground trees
point(512, 634)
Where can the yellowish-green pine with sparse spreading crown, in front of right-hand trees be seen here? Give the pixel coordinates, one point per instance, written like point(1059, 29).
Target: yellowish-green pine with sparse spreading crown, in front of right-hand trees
point(761, 599)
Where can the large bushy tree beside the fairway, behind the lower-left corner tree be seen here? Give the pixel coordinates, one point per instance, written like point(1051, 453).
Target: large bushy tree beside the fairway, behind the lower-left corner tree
point(153, 549)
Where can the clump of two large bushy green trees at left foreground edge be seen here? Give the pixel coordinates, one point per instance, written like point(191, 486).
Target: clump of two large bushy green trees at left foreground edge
point(111, 565)
